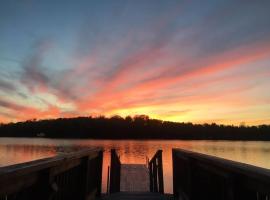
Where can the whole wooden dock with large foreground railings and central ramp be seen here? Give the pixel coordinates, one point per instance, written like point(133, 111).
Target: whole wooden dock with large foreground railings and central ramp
point(78, 176)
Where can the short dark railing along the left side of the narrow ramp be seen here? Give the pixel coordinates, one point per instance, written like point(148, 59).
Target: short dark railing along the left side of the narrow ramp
point(115, 172)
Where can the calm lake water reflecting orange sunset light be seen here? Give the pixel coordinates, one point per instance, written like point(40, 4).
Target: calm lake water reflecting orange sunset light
point(14, 151)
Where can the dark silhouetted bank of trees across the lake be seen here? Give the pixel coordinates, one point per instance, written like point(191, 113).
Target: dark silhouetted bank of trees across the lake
point(137, 127)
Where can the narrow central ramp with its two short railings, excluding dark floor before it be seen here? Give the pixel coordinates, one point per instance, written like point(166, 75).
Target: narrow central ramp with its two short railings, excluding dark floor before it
point(136, 177)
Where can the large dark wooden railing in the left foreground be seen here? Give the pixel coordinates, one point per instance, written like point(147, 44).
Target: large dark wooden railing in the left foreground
point(68, 176)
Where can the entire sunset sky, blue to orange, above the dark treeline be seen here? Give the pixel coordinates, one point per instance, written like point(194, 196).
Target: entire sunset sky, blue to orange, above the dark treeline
point(192, 61)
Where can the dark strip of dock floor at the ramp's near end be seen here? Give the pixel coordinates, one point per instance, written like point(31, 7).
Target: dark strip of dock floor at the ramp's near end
point(136, 195)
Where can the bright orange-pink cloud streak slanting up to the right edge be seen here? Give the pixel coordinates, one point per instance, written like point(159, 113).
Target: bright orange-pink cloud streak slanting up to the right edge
point(112, 98)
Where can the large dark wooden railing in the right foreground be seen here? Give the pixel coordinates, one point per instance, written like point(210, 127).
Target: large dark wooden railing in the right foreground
point(198, 176)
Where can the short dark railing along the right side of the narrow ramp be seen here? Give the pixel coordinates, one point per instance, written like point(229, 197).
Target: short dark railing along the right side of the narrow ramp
point(156, 173)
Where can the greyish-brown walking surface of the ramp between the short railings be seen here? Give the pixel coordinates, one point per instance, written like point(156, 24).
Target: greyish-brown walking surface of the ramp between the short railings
point(134, 178)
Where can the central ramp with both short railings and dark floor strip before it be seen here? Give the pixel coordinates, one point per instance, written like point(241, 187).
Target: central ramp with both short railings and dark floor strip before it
point(136, 181)
